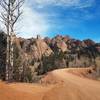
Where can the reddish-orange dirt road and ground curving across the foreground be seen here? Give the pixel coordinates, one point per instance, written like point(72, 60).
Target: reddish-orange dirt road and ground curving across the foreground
point(56, 85)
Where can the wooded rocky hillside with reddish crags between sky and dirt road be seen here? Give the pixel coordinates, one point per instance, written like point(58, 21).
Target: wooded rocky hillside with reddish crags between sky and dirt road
point(35, 56)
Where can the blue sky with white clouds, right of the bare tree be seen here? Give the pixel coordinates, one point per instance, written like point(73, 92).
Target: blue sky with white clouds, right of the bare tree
point(79, 19)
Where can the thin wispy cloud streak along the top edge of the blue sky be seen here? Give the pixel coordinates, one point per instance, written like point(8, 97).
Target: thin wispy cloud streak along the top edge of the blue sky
point(63, 3)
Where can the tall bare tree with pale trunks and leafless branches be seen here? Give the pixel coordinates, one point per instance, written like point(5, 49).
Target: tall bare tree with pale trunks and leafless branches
point(9, 17)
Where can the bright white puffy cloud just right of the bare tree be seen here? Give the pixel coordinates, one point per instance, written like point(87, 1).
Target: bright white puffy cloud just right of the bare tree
point(30, 23)
